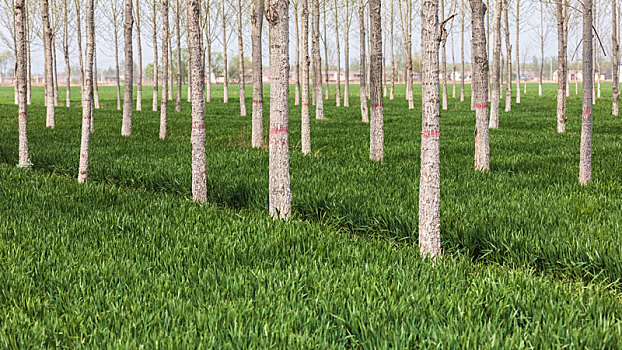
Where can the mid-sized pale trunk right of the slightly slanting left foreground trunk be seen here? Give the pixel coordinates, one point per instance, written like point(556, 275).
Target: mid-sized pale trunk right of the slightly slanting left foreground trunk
point(128, 93)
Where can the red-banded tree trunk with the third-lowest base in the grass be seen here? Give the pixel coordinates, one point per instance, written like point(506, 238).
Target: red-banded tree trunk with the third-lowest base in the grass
point(197, 137)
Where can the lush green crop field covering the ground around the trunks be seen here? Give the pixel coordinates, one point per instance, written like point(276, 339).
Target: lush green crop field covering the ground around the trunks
point(530, 258)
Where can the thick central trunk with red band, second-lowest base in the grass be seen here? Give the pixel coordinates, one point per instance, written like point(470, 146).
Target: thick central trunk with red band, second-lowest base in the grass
point(280, 196)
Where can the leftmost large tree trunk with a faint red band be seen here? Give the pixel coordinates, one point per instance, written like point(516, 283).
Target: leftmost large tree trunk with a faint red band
point(21, 70)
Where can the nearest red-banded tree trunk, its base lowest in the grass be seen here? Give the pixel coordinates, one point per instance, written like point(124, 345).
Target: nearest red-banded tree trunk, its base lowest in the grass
point(430, 182)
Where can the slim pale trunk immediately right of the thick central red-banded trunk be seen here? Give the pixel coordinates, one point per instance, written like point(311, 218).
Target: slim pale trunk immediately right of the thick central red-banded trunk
point(305, 123)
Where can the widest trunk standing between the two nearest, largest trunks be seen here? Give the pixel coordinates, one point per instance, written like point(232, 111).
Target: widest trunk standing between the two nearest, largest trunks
point(376, 125)
